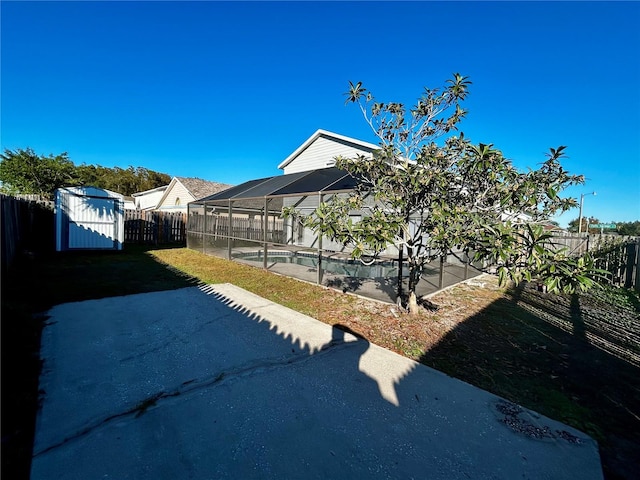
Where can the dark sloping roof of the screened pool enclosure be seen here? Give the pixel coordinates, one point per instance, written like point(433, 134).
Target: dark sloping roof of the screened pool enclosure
point(314, 181)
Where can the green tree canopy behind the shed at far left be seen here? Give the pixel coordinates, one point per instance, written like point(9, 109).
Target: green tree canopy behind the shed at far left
point(22, 171)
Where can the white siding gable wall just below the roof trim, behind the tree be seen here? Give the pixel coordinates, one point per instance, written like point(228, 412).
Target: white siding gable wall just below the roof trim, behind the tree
point(321, 154)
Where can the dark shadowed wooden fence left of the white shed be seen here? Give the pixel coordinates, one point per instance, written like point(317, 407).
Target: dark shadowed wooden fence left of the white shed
point(27, 227)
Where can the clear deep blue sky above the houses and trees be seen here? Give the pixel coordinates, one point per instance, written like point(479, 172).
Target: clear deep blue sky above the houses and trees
point(226, 91)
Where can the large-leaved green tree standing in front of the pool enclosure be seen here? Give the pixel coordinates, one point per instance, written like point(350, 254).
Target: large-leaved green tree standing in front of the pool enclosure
point(431, 193)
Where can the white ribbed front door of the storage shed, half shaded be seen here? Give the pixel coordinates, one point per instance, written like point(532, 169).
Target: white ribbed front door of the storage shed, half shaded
point(92, 222)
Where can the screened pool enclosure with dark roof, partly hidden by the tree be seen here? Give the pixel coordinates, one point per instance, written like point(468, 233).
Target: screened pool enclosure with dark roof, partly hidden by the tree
point(245, 224)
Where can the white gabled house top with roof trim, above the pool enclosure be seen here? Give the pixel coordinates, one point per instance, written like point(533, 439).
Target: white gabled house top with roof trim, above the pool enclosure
point(320, 150)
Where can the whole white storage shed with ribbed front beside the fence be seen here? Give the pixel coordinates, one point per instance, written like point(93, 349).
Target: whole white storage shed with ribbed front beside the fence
point(89, 218)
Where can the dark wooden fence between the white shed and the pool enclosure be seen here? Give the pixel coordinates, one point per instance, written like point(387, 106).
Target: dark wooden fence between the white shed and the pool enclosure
point(154, 227)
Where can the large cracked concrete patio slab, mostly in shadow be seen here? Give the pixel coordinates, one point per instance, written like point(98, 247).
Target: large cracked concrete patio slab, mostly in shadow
point(215, 382)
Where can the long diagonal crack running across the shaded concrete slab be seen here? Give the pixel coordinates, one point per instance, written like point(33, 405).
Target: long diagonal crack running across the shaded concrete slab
point(194, 385)
